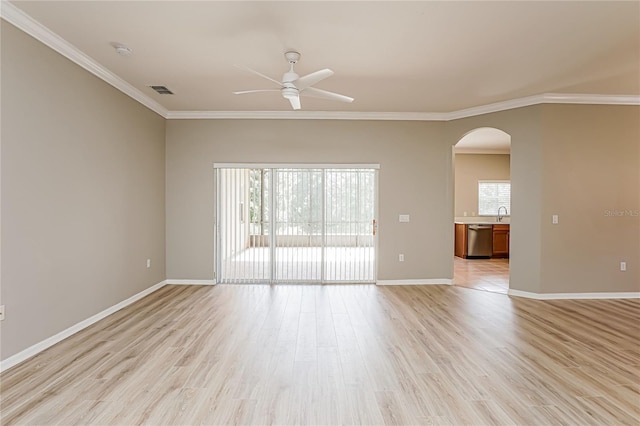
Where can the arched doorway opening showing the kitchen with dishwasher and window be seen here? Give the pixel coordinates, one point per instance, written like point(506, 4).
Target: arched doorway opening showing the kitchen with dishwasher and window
point(482, 192)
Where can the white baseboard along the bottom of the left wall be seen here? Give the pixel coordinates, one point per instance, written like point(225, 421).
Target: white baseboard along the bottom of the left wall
point(39, 347)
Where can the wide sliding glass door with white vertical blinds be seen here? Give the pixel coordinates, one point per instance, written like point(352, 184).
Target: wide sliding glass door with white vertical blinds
point(296, 224)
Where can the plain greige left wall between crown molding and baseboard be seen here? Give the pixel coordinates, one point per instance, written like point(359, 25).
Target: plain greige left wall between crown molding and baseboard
point(83, 169)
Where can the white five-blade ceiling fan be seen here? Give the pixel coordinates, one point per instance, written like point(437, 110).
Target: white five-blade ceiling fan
point(293, 86)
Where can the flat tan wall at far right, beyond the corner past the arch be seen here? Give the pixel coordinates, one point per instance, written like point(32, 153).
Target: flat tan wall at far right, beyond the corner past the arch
point(591, 157)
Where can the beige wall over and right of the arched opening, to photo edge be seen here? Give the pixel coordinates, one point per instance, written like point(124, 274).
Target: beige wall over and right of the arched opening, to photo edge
point(577, 161)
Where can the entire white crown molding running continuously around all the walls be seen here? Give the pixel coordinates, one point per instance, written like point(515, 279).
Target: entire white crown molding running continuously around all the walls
point(24, 22)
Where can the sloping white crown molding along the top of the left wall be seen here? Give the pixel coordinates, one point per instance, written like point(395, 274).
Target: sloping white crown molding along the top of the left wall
point(24, 22)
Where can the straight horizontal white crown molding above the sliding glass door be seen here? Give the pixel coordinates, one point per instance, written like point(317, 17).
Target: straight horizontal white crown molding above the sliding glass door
point(307, 115)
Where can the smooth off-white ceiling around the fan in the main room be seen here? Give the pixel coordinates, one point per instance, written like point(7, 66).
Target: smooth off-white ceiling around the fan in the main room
point(418, 57)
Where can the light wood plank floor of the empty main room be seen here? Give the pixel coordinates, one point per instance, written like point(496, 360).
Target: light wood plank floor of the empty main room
point(350, 354)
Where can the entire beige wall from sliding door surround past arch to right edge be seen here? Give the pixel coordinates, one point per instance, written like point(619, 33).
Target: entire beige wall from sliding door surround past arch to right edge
point(548, 144)
